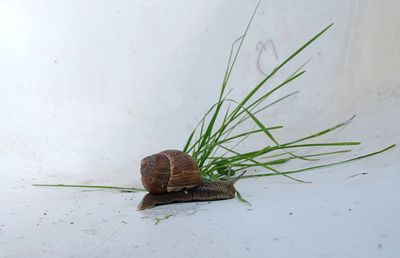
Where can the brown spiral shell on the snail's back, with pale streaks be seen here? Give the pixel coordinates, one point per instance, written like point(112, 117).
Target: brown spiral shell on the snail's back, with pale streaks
point(170, 170)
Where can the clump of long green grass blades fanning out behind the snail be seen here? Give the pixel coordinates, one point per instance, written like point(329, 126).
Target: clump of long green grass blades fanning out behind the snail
point(213, 143)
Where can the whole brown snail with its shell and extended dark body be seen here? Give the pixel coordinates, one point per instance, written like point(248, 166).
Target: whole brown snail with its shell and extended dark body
point(173, 176)
